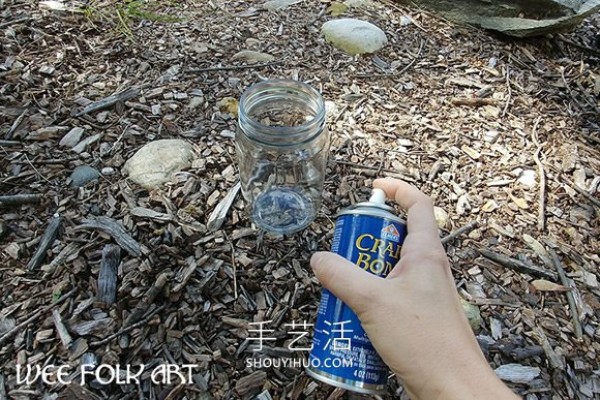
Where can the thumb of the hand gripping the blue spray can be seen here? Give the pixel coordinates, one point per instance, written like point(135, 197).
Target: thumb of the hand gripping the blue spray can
point(349, 283)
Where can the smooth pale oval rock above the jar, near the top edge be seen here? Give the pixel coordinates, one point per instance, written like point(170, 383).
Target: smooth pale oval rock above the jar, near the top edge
point(354, 36)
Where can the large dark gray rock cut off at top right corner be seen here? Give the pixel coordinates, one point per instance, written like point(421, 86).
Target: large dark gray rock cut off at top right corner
point(519, 18)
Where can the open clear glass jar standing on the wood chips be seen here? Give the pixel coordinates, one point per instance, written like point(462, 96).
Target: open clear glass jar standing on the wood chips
point(282, 146)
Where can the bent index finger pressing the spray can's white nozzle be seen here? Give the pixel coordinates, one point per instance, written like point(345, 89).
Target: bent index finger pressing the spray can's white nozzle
point(418, 206)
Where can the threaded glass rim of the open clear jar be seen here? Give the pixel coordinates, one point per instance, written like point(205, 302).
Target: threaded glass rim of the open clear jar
point(293, 134)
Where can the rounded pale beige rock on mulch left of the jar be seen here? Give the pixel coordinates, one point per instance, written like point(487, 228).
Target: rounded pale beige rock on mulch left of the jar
point(153, 164)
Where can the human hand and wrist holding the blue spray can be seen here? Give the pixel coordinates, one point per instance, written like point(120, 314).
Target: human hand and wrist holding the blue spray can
point(414, 317)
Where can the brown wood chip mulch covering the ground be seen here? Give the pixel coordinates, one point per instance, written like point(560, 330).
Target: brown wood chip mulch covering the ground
point(499, 131)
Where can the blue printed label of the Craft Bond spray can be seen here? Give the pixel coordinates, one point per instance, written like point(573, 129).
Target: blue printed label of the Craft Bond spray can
point(374, 244)
